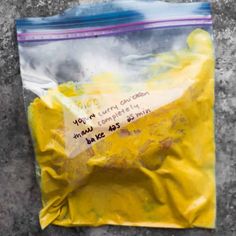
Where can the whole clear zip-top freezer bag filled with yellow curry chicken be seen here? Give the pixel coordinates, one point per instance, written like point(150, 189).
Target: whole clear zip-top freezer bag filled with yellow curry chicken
point(120, 98)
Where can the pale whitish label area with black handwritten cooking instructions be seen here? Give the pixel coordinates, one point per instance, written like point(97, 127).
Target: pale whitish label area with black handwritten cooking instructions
point(90, 119)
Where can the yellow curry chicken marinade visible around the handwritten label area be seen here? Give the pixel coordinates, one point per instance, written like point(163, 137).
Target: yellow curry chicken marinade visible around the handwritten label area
point(157, 171)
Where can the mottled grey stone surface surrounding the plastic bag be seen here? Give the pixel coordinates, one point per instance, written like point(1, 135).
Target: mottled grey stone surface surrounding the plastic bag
point(19, 193)
